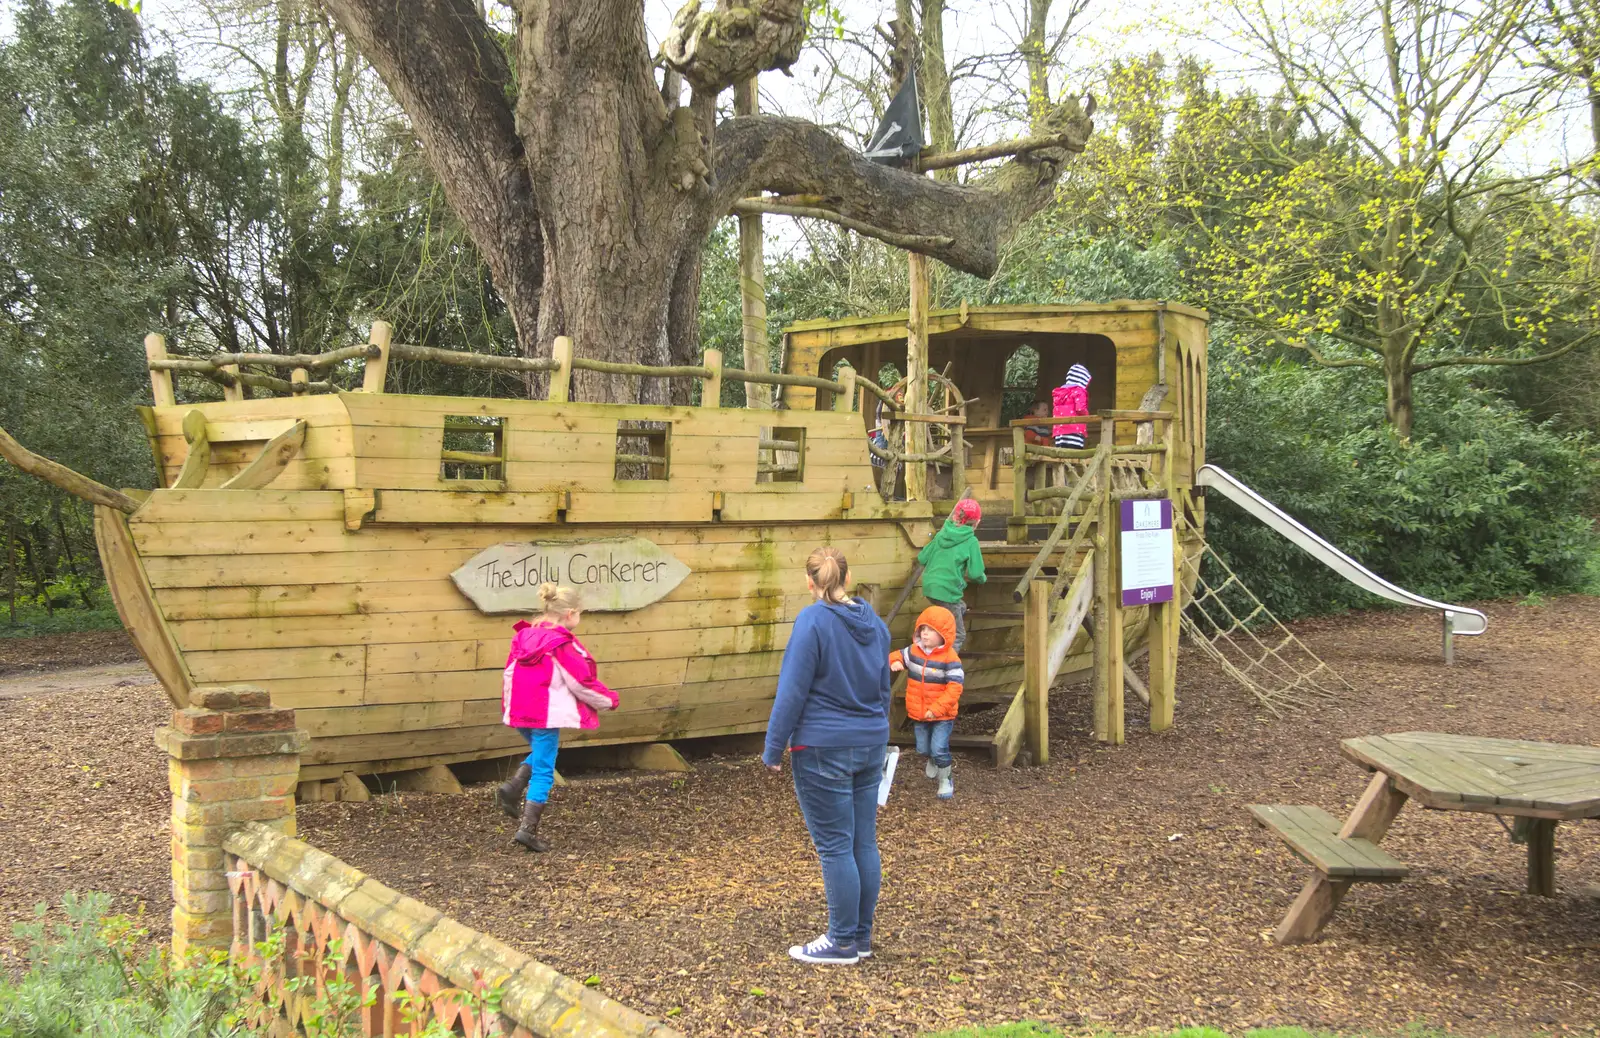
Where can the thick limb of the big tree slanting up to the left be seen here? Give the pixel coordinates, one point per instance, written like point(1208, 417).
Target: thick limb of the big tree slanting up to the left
point(450, 78)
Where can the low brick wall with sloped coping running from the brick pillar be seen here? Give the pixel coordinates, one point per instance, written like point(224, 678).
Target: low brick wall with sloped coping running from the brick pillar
point(402, 946)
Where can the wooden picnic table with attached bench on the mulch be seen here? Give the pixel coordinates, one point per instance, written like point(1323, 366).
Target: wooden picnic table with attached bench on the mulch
point(1542, 784)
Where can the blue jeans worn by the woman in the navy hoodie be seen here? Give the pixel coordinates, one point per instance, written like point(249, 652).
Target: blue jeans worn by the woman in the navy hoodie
point(839, 797)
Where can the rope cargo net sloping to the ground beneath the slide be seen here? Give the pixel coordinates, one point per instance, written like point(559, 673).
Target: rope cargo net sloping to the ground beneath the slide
point(1231, 626)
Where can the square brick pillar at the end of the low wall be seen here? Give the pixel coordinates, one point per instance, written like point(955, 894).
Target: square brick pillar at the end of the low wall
point(234, 759)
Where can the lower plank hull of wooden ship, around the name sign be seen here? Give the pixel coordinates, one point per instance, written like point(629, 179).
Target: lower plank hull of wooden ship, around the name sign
point(390, 665)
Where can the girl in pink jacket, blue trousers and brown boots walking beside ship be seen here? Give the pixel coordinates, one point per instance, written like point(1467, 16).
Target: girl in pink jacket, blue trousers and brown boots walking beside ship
point(550, 685)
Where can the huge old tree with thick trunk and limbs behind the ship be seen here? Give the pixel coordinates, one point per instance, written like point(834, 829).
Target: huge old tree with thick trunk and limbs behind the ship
point(591, 194)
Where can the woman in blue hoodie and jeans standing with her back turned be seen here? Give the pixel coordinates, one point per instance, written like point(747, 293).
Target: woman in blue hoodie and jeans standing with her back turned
point(833, 713)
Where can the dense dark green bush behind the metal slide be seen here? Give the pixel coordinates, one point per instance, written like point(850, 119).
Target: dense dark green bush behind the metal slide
point(1484, 503)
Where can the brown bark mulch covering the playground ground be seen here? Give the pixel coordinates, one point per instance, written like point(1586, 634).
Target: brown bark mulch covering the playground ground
point(1110, 890)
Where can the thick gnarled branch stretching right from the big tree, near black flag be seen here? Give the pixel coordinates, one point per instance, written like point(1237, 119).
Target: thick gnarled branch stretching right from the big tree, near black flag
point(961, 226)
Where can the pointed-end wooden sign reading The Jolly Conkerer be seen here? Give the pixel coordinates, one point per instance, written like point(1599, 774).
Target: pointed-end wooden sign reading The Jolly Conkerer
point(610, 577)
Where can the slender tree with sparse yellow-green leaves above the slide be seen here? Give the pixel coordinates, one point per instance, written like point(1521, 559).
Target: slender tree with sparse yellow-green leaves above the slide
point(1407, 241)
